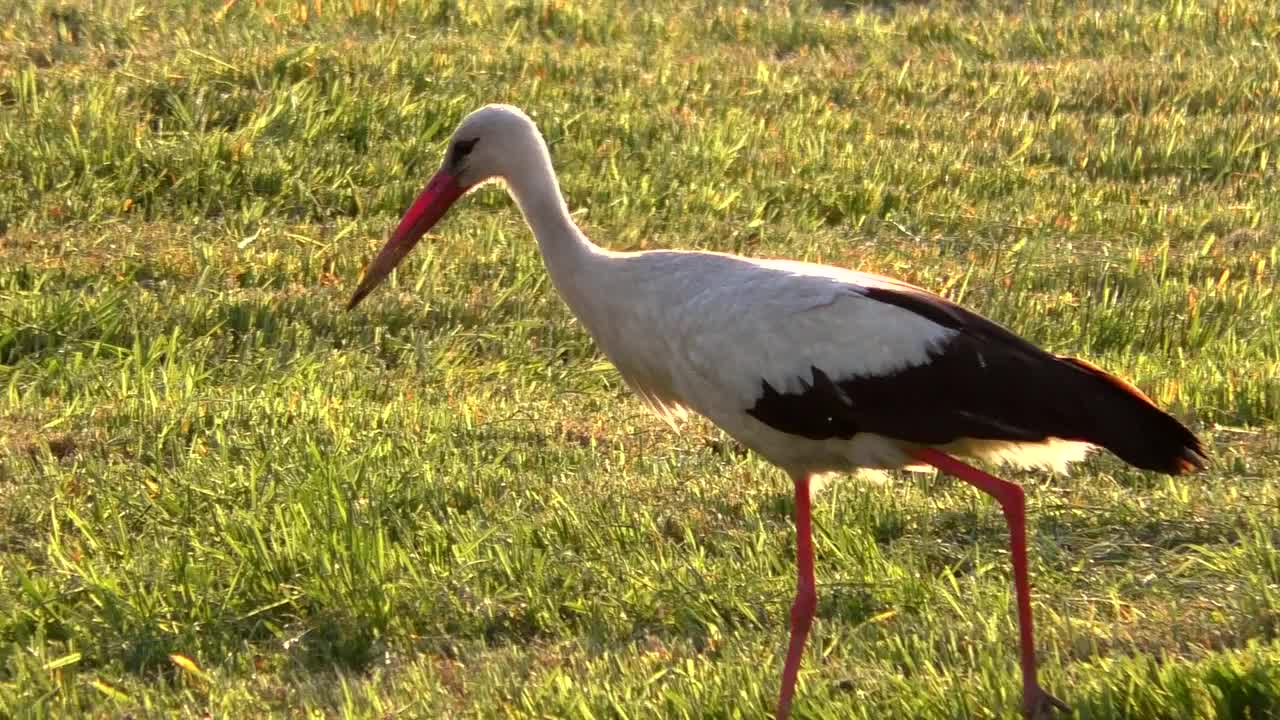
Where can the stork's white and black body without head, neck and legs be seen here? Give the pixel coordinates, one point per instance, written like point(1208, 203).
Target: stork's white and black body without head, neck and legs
point(804, 363)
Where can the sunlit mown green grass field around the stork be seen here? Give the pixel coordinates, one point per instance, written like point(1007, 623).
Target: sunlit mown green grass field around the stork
point(220, 494)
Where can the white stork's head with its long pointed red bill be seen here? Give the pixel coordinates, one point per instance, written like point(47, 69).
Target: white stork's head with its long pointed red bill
point(492, 143)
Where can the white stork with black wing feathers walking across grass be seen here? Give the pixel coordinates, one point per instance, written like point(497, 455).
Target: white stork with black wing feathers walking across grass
point(817, 370)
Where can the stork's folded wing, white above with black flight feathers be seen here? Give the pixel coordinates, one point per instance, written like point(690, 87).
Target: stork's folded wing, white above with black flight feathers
point(825, 353)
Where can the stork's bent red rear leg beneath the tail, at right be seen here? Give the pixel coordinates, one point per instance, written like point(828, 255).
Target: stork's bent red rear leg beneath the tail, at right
point(1037, 703)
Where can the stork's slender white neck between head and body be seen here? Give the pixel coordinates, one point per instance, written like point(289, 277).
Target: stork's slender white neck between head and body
point(573, 261)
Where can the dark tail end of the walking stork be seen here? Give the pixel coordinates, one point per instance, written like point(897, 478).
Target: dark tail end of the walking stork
point(1131, 426)
